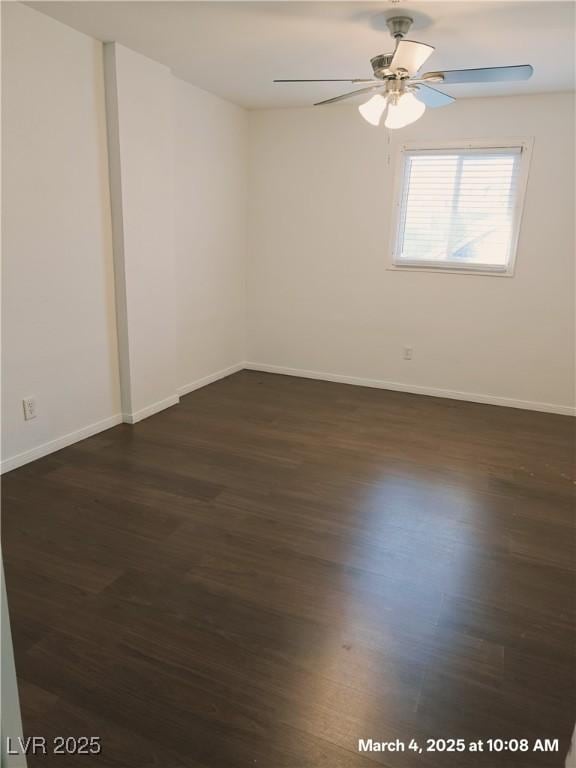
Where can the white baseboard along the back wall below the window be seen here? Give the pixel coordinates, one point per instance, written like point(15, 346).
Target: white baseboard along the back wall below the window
point(413, 389)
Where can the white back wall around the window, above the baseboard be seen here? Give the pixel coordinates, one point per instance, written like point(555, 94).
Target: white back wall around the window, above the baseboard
point(321, 298)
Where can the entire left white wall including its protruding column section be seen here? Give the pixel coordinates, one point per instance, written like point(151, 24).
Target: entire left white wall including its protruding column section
point(169, 304)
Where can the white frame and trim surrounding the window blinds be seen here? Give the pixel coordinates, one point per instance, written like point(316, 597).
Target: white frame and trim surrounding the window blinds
point(402, 265)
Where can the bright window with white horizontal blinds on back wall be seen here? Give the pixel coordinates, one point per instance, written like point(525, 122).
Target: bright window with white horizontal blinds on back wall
point(459, 207)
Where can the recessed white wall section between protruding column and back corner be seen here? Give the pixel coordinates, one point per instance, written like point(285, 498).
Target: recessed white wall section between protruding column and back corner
point(210, 150)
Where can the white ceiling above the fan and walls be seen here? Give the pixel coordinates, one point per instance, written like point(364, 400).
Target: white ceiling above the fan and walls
point(236, 49)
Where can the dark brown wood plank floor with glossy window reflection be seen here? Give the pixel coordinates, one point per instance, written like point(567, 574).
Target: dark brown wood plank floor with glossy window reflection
point(278, 567)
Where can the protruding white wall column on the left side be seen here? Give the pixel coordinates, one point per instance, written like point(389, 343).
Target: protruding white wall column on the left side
point(140, 135)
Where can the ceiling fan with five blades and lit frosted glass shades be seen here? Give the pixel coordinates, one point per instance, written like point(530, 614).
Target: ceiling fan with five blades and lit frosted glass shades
point(396, 86)
